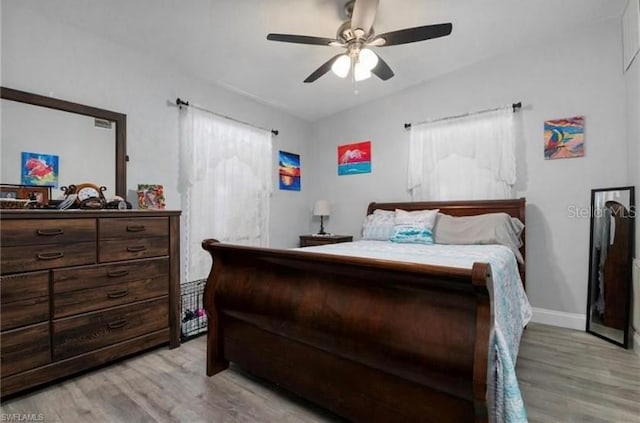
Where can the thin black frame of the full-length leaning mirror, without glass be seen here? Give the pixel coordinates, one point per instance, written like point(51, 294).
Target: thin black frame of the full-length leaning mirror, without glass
point(626, 342)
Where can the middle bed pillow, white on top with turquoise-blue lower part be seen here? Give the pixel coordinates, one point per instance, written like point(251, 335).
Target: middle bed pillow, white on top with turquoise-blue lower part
point(414, 227)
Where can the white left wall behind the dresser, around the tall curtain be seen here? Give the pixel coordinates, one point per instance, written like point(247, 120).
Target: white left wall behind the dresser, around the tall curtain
point(54, 59)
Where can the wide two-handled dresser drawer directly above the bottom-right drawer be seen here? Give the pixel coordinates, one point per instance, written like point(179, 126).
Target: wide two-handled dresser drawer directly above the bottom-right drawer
point(91, 288)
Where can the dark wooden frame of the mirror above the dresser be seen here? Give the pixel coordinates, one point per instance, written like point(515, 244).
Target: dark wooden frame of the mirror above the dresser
point(94, 112)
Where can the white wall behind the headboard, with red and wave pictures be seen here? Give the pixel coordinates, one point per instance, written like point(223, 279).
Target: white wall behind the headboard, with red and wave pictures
point(579, 76)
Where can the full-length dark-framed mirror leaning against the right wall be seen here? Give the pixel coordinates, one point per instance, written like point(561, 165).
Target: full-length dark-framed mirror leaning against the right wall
point(610, 261)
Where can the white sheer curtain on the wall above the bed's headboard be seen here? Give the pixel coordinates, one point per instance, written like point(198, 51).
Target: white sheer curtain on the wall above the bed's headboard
point(469, 158)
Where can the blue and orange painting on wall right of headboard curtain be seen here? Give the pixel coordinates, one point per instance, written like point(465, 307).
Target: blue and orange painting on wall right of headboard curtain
point(564, 138)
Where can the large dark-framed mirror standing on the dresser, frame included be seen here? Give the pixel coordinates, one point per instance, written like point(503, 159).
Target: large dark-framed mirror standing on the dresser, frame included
point(90, 143)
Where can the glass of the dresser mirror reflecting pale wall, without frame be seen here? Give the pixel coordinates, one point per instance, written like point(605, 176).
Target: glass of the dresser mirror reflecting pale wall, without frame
point(83, 144)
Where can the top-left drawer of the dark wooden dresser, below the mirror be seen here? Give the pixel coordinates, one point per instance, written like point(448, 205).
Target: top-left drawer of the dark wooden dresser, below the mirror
point(47, 231)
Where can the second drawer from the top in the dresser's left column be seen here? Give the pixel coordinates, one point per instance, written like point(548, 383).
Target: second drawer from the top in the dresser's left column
point(37, 257)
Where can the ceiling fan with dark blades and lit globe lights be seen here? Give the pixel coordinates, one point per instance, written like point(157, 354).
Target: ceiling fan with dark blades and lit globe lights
point(357, 35)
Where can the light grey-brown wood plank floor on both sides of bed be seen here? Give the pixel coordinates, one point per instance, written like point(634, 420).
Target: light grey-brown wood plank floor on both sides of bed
point(565, 376)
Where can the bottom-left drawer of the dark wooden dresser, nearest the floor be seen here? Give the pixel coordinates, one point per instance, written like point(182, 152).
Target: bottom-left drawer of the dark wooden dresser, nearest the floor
point(24, 348)
